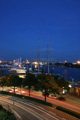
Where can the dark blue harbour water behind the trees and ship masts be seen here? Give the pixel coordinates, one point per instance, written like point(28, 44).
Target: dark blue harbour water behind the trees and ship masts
point(71, 74)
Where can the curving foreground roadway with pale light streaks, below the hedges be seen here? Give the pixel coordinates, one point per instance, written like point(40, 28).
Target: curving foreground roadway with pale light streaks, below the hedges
point(26, 110)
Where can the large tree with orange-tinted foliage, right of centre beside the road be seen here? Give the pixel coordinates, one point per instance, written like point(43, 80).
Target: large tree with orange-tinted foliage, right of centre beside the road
point(47, 85)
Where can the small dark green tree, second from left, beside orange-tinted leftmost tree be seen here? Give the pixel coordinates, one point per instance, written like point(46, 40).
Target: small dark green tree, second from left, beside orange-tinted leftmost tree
point(15, 81)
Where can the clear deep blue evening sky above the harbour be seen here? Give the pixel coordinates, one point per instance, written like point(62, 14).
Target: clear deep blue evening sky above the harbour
point(25, 22)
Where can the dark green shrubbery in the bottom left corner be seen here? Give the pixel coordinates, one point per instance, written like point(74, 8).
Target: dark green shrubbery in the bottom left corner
point(6, 115)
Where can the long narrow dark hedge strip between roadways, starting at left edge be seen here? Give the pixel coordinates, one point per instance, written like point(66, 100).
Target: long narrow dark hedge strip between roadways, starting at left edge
point(28, 98)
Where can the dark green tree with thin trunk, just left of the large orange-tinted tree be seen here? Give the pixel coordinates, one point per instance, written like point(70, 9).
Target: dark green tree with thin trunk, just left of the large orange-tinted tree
point(30, 80)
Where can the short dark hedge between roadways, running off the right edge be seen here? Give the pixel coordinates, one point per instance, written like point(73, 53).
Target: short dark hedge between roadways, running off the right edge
point(71, 112)
